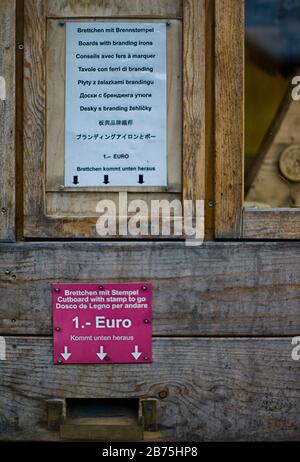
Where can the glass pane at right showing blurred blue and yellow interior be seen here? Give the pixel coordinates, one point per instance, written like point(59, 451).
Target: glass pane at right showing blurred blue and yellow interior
point(272, 107)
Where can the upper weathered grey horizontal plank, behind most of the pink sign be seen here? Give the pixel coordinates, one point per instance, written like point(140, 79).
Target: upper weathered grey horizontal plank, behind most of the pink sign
point(216, 289)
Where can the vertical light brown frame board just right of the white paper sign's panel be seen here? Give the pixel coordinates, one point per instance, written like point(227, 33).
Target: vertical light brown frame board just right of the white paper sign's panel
point(194, 54)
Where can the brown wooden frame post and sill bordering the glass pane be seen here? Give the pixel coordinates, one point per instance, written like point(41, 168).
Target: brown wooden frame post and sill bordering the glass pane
point(232, 219)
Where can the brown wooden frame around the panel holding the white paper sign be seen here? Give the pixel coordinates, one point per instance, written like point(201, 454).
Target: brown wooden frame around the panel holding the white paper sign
point(37, 224)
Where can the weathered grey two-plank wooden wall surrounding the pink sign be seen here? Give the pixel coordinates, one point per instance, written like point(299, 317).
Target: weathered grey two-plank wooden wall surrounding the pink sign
point(224, 318)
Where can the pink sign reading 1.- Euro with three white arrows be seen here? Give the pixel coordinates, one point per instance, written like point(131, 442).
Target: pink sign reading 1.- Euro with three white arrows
point(97, 324)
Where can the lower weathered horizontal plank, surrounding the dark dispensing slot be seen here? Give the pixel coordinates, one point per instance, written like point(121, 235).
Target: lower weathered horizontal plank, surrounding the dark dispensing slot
point(216, 389)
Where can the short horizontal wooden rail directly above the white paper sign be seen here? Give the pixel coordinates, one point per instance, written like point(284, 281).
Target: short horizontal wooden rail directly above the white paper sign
point(114, 8)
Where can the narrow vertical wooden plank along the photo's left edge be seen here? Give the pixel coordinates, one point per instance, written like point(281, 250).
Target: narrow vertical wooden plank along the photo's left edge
point(7, 119)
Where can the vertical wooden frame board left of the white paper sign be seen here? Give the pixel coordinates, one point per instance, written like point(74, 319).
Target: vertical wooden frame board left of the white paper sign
point(34, 111)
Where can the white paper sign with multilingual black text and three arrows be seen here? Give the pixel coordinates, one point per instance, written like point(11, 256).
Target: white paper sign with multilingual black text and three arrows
point(116, 104)
